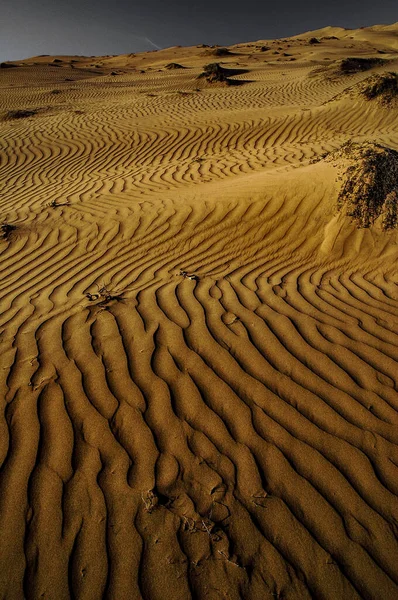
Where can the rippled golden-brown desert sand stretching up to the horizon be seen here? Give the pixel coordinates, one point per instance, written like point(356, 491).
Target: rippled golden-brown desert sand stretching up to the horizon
point(198, 341)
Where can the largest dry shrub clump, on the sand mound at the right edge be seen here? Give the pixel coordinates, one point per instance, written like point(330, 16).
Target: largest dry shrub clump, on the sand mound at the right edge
point(370, 184)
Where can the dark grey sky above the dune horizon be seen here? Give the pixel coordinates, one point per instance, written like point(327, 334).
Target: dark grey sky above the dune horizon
point(32, 27)
